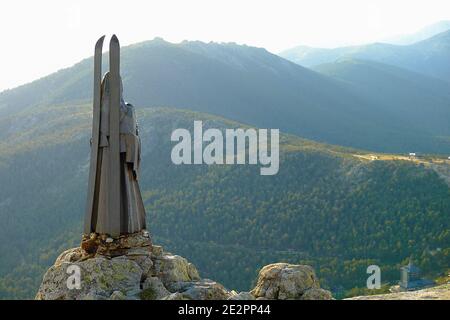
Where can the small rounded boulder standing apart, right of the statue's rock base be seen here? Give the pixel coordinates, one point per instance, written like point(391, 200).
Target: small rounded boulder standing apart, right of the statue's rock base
point(285, 281)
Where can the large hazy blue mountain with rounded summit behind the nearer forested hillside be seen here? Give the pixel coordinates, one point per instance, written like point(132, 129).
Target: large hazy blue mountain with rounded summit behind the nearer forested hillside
point(241, 83)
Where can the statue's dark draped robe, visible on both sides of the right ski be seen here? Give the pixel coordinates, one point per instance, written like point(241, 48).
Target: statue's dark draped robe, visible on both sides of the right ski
point(132, 211)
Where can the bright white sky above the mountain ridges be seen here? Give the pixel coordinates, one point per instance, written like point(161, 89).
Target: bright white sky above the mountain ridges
point(40, 37)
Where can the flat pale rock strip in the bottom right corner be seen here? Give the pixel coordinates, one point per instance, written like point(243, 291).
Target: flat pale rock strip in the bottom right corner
point(441, 292)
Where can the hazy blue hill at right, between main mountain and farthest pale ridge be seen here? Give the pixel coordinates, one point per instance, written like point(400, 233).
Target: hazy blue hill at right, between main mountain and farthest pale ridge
point(422, 102)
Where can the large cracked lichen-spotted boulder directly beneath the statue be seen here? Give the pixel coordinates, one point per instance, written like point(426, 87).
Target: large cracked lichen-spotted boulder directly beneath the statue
point(140, 273)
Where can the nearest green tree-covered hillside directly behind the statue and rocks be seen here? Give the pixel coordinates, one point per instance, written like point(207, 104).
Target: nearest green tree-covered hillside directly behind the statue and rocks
point(325, 207)
